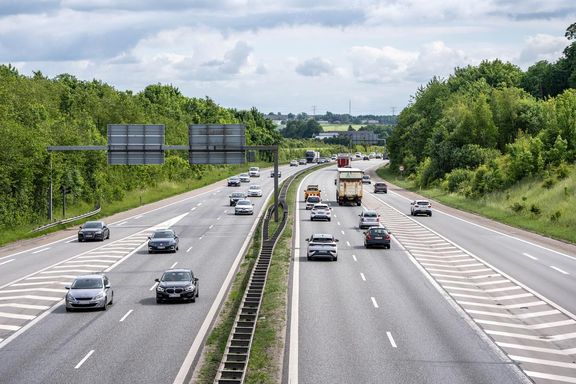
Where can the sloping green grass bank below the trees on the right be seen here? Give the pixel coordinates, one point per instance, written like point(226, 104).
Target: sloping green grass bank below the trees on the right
point(527, 205)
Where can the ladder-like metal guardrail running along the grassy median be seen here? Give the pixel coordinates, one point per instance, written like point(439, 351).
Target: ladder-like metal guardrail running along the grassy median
point(234, 363)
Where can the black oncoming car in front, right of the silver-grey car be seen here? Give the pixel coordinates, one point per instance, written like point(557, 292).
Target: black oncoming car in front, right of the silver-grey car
point(177, 285)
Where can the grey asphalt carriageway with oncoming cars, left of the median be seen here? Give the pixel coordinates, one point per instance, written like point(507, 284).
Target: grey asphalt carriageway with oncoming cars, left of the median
point(135, 340)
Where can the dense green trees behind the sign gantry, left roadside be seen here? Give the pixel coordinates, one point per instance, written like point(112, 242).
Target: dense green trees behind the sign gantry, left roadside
point(36, 112)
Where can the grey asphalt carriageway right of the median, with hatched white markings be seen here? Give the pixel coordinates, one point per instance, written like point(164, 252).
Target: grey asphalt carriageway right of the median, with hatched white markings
point(451, 301)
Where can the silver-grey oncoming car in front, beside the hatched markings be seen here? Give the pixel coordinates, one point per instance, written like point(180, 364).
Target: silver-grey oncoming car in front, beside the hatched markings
point(89, 291)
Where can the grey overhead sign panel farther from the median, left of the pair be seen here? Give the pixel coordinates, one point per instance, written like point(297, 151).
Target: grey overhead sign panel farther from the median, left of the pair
point(135, 144)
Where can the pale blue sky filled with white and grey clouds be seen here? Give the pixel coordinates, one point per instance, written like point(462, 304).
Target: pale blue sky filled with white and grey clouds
point(279, 56)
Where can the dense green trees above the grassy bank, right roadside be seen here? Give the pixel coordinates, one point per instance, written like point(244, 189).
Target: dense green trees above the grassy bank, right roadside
point(486, 127)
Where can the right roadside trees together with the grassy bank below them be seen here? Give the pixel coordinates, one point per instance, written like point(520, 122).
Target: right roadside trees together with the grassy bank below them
point(488, 137)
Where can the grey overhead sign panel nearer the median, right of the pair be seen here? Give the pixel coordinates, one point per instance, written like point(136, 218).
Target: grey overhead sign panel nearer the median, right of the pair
point(217, 144)
